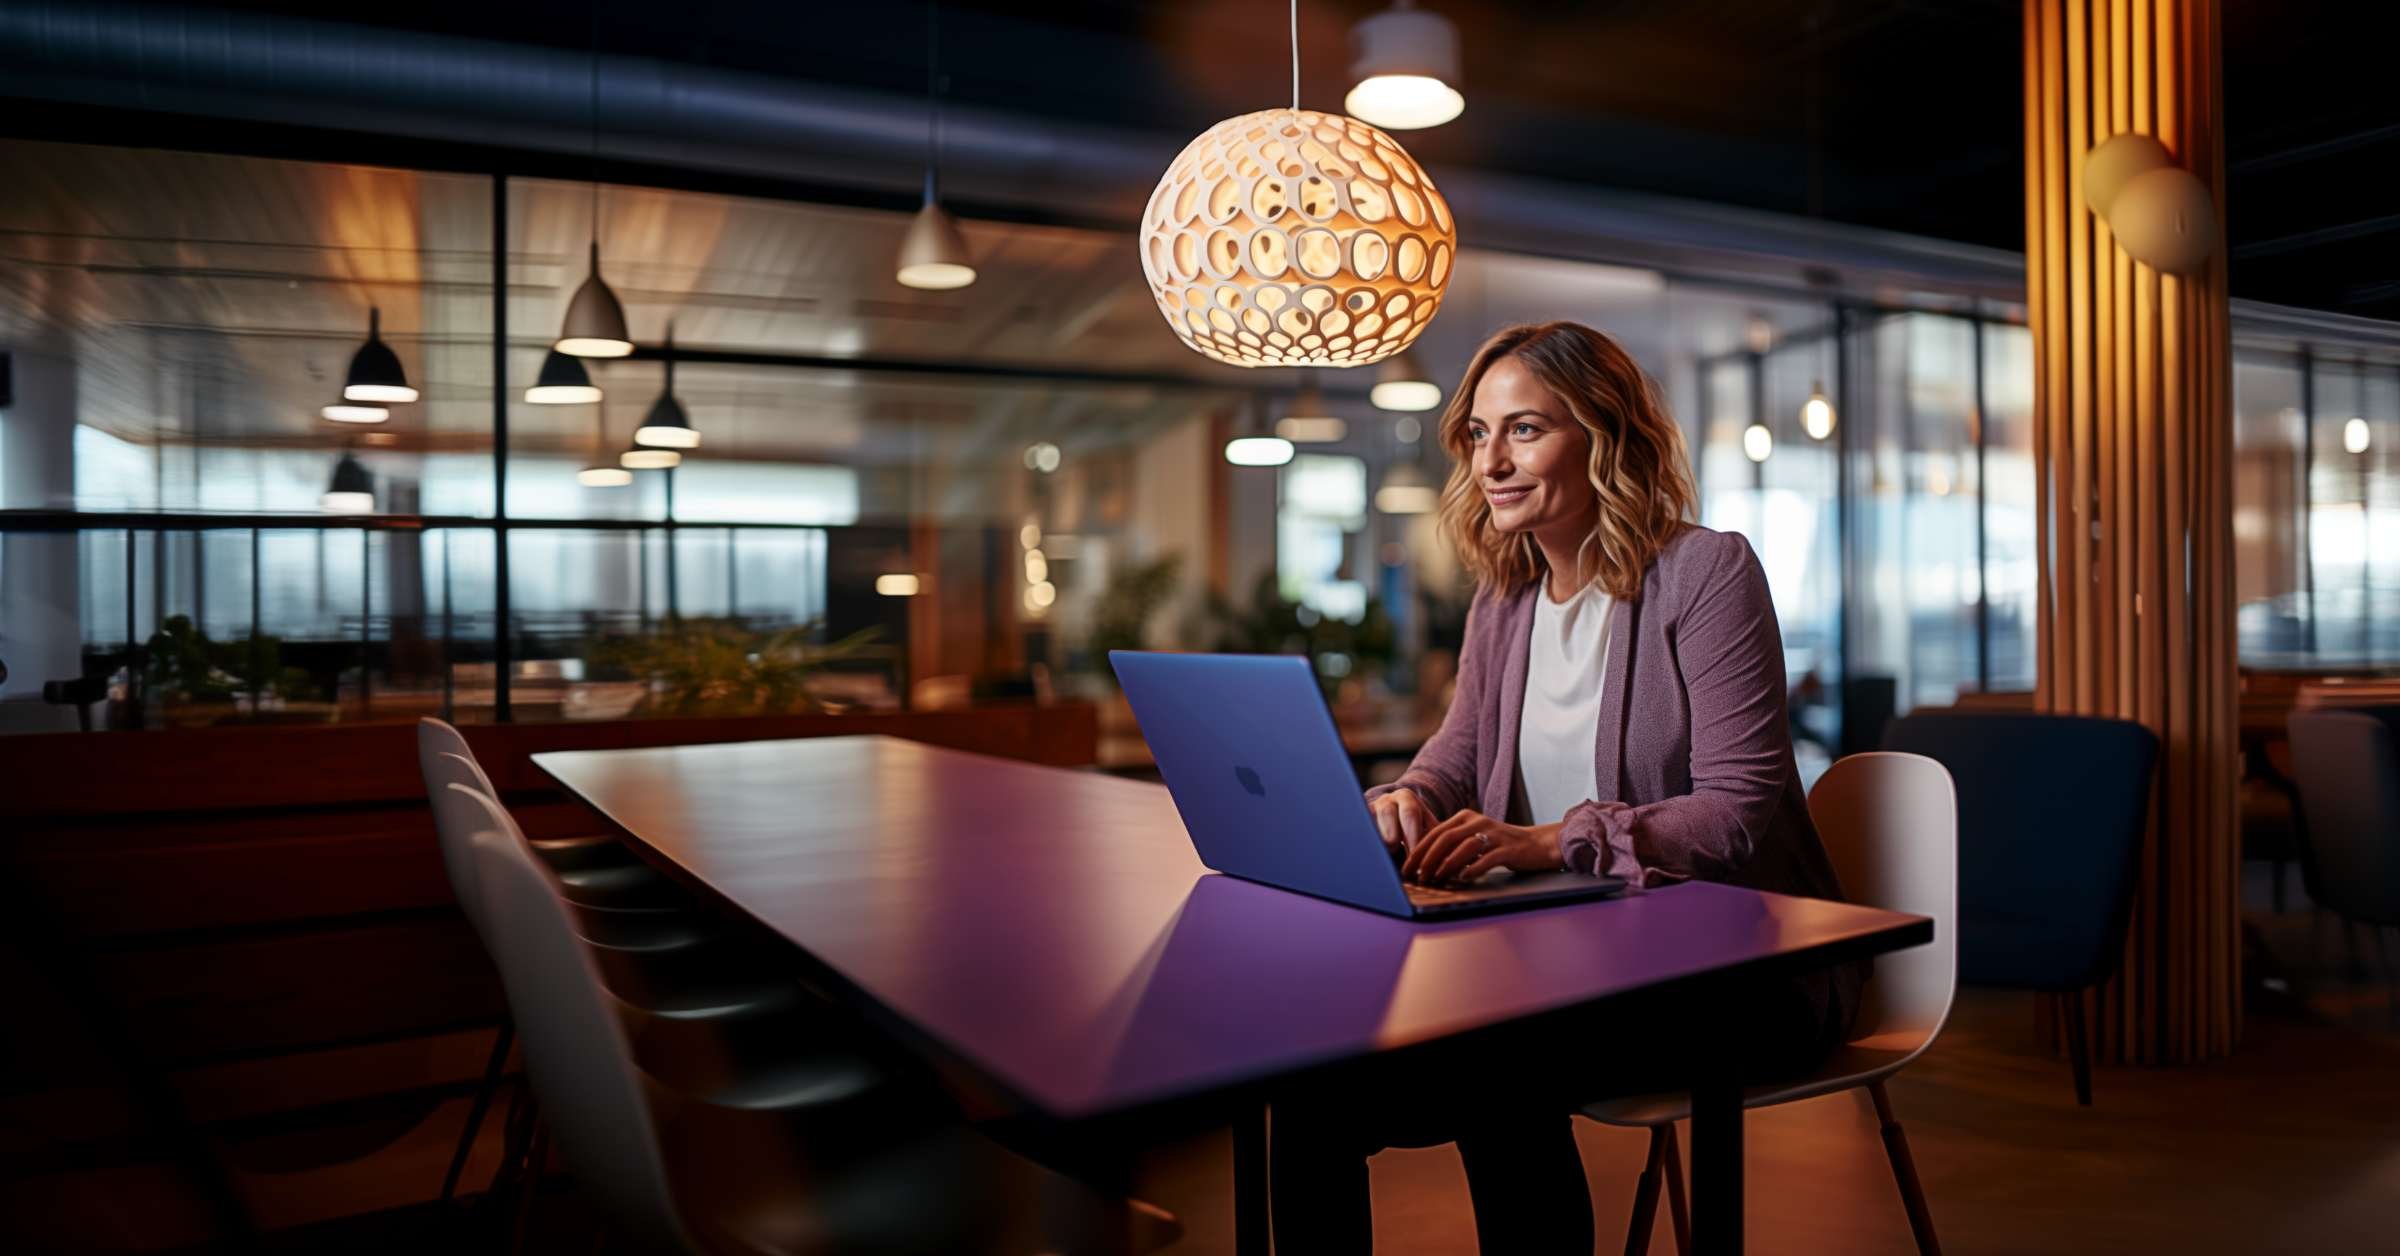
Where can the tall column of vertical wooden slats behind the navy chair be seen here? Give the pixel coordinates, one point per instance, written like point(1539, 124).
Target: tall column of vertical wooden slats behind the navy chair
point(2135, 457)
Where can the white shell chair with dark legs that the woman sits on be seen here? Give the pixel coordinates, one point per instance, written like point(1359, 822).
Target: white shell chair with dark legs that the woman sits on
point(1890, 825)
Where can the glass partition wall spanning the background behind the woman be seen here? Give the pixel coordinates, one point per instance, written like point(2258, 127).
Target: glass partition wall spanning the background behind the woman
point(923, 498)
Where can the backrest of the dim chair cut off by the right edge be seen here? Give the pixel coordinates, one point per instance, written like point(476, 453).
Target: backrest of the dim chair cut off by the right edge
point(2348, 782)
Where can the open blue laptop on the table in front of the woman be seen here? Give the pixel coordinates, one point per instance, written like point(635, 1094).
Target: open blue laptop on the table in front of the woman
point(1268, 794)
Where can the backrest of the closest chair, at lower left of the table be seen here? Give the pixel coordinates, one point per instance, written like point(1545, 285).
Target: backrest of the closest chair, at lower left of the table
point(577, 1053)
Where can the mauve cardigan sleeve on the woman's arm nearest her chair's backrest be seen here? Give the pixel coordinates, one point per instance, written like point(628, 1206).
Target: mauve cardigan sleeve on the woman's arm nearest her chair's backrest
point(1732, 659)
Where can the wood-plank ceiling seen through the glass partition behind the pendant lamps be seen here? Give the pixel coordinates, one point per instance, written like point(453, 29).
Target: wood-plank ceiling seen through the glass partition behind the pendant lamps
point(220, 299)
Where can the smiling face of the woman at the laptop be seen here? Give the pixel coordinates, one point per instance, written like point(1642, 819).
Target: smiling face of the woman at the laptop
point(1530, 457)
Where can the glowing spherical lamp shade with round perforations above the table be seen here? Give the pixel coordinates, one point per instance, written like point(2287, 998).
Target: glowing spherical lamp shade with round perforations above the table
point(1297, 239)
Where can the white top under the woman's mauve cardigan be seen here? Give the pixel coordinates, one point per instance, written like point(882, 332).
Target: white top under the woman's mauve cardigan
point(1561, 726)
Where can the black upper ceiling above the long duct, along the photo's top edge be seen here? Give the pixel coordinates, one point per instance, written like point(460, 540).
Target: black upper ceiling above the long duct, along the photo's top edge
point(1712, 100)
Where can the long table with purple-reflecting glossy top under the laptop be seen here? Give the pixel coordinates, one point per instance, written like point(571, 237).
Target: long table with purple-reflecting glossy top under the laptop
point(1052, 938)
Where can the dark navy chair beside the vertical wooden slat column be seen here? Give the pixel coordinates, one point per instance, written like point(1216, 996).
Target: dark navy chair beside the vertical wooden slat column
point(2051, 815)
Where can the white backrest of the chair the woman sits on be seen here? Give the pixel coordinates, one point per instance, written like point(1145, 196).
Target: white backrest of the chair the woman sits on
point(1890, 823)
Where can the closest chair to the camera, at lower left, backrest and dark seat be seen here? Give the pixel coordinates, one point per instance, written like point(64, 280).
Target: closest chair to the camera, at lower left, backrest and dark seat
point(685, 1176)
